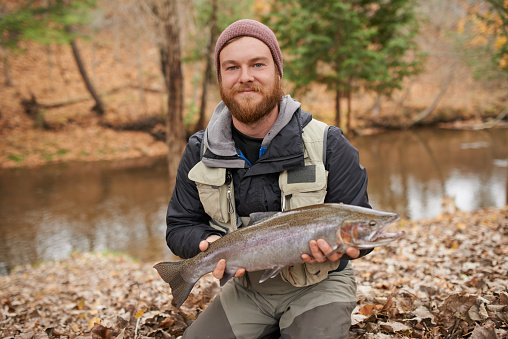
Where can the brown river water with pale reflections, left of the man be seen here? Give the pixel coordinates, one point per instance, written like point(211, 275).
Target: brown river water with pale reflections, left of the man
point(50, 212)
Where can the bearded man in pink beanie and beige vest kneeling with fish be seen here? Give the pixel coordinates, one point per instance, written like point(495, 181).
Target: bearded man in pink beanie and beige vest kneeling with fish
point(259, 153)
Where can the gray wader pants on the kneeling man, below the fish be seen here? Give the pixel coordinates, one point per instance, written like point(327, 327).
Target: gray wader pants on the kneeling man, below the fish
point(322, 310)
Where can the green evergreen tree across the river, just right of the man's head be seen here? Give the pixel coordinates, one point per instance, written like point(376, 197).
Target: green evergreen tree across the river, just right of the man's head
point(345, 45)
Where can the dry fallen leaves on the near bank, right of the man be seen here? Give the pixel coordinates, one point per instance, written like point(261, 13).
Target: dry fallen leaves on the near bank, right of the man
point(447, 278)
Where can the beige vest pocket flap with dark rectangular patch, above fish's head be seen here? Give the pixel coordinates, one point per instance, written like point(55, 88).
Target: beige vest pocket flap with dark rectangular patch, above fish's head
point(303, 179)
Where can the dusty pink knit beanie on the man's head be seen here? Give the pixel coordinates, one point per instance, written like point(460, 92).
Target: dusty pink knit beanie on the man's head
point(252, 28)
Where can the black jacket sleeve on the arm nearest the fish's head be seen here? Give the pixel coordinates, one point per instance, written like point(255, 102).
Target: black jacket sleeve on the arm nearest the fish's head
point(347, 179)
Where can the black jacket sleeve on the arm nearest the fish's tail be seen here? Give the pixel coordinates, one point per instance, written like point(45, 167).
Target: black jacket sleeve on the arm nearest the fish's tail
point(186, 220)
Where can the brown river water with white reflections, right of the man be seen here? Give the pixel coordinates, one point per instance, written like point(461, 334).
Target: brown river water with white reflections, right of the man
point(411, 171)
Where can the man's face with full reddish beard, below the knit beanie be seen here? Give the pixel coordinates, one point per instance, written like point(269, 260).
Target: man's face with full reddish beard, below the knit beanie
point(249, 82)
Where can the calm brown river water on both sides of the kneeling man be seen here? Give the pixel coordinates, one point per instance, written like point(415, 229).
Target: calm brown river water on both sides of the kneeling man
point(49, 212)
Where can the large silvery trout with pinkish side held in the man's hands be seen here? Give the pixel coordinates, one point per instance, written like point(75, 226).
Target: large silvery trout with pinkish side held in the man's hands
point(274, 240)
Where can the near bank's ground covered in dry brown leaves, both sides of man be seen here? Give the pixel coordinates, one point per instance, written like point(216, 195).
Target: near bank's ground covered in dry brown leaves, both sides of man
point(447, 278)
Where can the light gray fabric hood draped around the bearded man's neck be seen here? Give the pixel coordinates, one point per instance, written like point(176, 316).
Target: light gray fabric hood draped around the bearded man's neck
point(218, 134)
